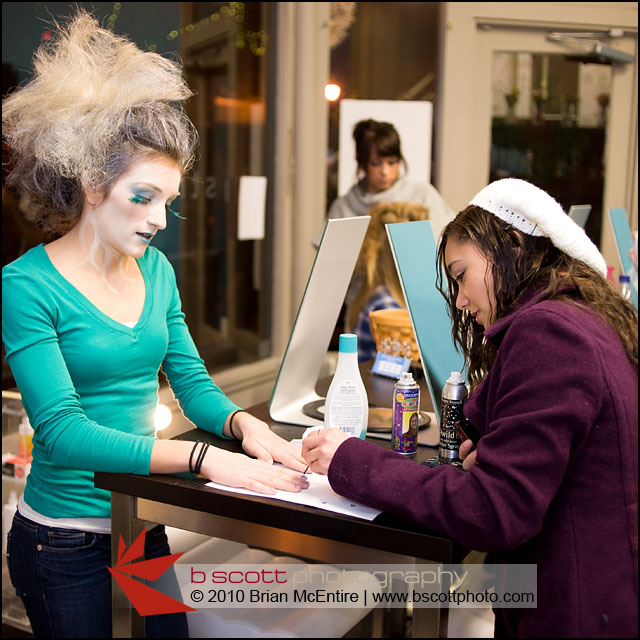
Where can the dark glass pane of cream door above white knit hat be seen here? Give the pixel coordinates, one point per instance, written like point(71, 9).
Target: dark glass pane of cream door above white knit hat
point(549, 126)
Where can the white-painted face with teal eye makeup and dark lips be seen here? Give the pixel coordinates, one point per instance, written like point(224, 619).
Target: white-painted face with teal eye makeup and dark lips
point(126, 221)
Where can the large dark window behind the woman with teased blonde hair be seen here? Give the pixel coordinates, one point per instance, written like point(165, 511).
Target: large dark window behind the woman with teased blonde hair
point(225, 47)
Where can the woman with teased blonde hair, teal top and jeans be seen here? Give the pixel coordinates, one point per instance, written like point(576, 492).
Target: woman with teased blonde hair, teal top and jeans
point(99, 145)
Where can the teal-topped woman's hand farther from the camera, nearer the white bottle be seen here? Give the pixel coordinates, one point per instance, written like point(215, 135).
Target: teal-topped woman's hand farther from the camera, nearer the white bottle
point(259, 441)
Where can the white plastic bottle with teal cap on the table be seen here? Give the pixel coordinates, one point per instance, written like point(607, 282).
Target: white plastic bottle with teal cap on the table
point(347, 406)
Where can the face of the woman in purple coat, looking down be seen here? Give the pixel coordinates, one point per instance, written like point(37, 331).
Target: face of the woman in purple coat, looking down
point(472, 273)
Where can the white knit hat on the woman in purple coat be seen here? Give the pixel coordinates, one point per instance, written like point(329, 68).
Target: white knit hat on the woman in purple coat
point(534, 212)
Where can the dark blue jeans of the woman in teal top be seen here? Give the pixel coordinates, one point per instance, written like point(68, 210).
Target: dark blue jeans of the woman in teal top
point(62, 578)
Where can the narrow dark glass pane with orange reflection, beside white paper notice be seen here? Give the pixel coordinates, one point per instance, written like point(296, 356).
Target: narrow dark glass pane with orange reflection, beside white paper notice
point(223, 280)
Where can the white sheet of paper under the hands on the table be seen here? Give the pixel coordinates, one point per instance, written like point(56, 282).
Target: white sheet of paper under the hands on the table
point(319, 495)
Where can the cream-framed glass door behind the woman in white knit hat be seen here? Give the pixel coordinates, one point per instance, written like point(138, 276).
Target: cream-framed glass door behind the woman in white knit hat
point(487, 55)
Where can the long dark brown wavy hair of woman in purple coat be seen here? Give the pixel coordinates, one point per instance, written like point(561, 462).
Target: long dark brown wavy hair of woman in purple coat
point(518, 262)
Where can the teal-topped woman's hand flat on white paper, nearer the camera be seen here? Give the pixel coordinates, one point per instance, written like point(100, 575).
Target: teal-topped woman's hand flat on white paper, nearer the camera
point(239, 470)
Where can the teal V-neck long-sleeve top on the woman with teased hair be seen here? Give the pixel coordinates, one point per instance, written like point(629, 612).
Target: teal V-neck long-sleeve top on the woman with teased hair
point(89, 384)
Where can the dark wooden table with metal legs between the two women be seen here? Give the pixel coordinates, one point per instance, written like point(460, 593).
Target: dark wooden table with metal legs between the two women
point(183, 501)
